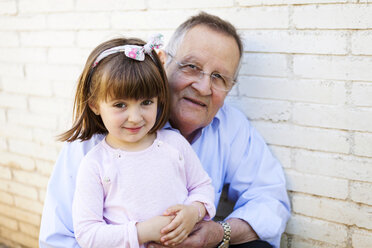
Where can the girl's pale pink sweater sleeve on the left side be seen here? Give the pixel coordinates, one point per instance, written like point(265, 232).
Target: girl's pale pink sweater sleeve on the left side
point(91, 230)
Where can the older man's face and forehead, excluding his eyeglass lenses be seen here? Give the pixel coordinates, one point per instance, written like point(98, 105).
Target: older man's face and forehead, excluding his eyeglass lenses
point(193, 102)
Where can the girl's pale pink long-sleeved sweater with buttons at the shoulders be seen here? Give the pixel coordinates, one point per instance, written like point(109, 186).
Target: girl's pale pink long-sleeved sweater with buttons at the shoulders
point(115, 189)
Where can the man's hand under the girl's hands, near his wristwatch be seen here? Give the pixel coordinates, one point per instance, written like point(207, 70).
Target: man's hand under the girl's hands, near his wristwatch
point(206, 234)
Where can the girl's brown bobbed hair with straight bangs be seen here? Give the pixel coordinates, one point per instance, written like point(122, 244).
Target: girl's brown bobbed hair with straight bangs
point(116, 77)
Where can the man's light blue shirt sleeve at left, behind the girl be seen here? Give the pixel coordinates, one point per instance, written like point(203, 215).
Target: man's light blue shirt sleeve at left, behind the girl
point(56, 229)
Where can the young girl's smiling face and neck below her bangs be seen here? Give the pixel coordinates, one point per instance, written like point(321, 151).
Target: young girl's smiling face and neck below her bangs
point(128, 122)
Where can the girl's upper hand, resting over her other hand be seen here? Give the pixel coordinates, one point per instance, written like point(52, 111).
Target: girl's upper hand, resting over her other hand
point(180, 227)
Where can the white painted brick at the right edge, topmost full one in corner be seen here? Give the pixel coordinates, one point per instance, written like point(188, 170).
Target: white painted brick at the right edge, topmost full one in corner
point(333, 16)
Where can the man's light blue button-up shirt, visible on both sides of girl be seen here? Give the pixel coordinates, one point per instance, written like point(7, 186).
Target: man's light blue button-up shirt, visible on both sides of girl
point(231, 151)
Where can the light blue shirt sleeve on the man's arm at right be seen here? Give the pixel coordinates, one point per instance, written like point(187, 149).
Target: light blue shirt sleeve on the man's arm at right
point(257, 184)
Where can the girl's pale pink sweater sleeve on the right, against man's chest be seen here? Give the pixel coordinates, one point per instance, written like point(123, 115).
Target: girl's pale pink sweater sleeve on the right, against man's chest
point(198, 182)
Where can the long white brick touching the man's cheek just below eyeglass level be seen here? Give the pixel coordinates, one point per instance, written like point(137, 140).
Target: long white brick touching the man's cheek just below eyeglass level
point(315, 91)
